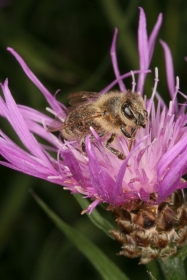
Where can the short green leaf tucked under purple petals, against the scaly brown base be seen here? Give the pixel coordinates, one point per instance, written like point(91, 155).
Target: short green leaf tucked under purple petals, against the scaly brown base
point(95, 217)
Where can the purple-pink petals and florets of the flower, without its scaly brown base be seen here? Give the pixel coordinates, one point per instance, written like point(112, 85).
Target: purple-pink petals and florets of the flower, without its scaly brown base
point(155, 165)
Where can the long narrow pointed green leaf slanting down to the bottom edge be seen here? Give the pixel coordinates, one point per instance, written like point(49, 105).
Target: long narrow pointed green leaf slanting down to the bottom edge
point(107, 269)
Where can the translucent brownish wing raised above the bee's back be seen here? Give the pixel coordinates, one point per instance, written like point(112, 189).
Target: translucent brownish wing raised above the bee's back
point(82, 97)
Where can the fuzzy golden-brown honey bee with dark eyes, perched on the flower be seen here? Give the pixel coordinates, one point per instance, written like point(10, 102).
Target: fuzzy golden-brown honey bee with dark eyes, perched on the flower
point(115, 113)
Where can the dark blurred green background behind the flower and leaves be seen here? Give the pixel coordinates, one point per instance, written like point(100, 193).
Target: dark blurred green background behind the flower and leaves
point(66, 43)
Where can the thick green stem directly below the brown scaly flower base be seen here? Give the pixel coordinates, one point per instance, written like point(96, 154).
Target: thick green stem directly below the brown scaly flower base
point(173, 268)
